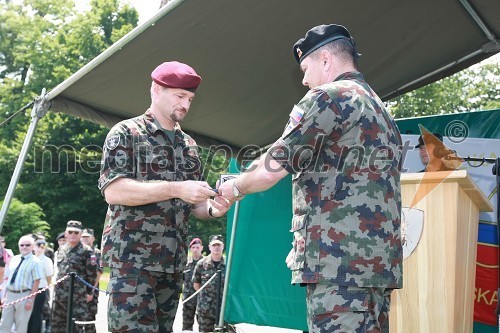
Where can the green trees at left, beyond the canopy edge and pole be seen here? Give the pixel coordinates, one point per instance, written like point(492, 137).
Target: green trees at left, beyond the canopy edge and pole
point(42, 42)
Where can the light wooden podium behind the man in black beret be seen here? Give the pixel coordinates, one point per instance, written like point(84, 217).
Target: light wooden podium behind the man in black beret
point(439, 276)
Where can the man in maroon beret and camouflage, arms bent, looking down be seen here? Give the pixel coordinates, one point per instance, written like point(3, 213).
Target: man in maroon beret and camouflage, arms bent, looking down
point(151, 177)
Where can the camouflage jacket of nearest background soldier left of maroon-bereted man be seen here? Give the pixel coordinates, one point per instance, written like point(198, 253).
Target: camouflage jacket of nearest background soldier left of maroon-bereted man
point(81, 260)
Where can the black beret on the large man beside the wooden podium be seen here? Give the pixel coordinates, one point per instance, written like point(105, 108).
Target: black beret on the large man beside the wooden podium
point(317, 37)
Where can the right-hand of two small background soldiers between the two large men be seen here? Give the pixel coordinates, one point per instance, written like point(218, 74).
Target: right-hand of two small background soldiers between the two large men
point(206, 314)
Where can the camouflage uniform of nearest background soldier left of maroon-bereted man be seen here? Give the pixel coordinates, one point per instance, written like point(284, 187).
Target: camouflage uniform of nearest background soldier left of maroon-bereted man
point(76, 259)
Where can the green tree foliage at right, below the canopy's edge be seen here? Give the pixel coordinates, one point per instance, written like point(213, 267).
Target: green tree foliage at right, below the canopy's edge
point(476, 88)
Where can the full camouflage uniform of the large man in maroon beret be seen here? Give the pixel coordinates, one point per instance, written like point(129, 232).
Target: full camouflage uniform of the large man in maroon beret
point(145, 246)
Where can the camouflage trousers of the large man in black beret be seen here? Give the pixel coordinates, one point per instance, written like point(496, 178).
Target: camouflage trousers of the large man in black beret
point(339, 309)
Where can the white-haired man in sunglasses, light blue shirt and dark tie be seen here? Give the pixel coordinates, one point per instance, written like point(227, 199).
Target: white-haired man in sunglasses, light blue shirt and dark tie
point(22, 276)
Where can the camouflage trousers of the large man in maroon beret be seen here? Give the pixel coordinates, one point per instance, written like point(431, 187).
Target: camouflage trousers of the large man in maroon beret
point(142, 301)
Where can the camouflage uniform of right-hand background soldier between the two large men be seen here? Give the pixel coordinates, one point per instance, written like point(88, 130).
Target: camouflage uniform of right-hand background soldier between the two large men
point(207, 298)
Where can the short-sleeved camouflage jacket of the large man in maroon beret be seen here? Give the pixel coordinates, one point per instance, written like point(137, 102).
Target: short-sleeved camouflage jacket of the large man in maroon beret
point(153, 236)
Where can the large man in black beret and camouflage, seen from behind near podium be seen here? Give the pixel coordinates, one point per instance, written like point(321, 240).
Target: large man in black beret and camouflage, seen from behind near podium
point(343, 150)
